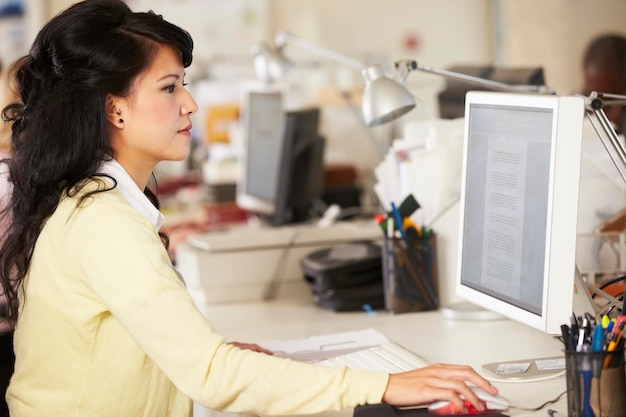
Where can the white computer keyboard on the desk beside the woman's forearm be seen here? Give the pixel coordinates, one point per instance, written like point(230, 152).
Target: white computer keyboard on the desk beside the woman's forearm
point(389, 357)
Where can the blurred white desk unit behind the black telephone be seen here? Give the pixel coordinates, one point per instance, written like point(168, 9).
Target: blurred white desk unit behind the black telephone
point(239, 263)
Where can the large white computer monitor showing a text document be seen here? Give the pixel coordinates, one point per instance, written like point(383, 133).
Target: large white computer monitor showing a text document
point(519, 200)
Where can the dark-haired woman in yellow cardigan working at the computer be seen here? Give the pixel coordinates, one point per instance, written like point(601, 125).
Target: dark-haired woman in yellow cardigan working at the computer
point(104, 324)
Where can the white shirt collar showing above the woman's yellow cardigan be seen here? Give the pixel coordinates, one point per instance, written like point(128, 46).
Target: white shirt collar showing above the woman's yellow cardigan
point(135, 197)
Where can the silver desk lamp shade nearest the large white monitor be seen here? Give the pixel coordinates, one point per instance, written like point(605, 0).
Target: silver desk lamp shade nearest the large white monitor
point(383, 99)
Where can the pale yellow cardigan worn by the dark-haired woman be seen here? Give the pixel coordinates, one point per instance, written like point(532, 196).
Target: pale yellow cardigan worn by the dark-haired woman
point(107, 329)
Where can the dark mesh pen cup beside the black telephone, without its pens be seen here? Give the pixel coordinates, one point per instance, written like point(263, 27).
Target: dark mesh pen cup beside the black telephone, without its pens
point(410, 274)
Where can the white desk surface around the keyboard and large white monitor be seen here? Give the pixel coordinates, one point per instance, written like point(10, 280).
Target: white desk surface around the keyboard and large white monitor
point(428, 333)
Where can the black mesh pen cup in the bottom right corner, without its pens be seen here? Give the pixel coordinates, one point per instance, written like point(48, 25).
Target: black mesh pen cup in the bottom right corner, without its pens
point(596, 383)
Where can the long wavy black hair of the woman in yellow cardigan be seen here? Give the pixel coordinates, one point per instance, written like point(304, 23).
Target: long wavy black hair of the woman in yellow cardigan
point(60, 133)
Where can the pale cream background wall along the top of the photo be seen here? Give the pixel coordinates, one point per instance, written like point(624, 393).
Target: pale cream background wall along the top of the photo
point(506, 32)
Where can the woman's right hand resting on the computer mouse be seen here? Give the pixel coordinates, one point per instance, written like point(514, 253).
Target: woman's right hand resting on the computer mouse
point(436, 382)
